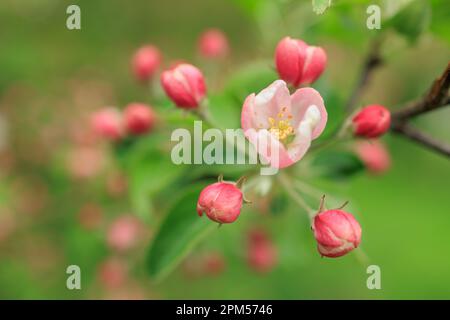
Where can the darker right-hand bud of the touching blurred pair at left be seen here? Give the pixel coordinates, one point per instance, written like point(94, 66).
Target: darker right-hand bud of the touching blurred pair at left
point(139, 118)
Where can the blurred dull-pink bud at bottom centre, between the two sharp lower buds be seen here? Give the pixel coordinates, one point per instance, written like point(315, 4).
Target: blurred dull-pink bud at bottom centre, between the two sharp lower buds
point(262, 254)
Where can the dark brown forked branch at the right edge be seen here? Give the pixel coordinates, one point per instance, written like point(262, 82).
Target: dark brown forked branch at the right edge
point(437, 97)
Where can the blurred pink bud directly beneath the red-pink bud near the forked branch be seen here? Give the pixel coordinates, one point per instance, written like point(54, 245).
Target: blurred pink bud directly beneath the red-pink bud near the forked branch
point(374, 155)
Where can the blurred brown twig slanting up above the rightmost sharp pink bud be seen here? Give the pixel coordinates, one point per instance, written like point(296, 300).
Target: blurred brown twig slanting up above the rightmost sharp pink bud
point(372, 61)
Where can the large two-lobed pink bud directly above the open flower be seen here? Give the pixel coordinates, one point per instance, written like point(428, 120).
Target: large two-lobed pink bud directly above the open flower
point(297, 63)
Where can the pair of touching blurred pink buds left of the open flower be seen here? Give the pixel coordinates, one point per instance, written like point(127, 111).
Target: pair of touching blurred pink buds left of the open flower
point(136, 119)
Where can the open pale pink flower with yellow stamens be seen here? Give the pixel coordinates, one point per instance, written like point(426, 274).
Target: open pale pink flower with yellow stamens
point(281, 126)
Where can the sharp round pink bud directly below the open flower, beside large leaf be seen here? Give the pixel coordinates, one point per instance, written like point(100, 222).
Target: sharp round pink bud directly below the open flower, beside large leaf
point(221, 201)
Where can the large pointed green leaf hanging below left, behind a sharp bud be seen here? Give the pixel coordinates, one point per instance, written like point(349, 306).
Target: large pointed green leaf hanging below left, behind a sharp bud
point(178, 234)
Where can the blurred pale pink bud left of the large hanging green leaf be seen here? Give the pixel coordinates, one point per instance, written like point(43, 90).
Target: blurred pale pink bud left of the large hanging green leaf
point(124, 233)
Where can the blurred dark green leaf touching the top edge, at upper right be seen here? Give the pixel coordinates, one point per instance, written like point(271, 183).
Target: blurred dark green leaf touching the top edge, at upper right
point(412, 19)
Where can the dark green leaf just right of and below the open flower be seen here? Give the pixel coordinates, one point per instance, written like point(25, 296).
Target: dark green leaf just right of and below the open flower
point(337, 165)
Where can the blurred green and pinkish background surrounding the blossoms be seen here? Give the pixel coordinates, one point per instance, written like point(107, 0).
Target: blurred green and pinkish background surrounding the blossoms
point(60, 192)
